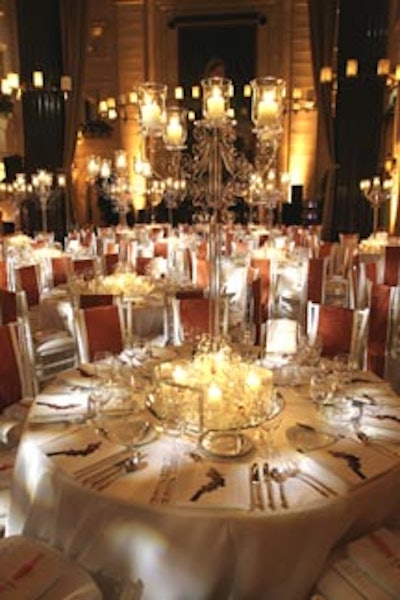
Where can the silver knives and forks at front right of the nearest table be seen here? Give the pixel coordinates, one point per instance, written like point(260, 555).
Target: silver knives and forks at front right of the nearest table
point(268, 485)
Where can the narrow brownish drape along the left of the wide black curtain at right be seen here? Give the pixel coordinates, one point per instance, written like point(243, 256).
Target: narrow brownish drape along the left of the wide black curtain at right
point(323, 16)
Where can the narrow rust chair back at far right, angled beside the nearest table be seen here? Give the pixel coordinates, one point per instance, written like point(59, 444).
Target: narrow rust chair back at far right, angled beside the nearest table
point(378, 328)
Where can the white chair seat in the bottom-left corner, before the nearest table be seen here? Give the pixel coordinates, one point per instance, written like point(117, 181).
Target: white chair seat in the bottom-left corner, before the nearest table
point(53, 575)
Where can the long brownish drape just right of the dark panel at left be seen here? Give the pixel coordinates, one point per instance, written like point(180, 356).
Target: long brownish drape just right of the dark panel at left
point(74, 36)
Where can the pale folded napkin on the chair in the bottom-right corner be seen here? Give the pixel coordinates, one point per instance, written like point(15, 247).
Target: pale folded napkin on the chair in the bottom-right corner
point(378, 554)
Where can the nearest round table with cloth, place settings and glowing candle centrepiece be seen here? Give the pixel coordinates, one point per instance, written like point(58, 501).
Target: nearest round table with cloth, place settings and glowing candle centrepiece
point(294, 474)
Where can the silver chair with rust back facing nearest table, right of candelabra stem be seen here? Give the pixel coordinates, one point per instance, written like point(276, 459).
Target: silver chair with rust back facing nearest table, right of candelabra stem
point(341, 330)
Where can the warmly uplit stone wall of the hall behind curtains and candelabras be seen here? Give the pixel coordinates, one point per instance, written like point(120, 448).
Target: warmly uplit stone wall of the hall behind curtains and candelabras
point(129, 42)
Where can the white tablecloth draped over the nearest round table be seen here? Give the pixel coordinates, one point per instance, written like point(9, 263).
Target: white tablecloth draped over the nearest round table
point(219, 545)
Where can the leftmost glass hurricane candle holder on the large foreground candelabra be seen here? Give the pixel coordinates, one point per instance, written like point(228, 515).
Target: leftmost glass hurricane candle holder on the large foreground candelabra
point(152, 102)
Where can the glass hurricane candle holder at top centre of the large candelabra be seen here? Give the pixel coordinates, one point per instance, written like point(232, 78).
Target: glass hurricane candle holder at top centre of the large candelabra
point(216, 99)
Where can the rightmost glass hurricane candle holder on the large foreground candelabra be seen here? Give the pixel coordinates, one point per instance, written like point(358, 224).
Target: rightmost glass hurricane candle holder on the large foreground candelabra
point(268, 95)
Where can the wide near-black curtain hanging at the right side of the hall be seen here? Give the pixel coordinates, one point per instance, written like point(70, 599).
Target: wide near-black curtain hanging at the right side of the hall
point(359, 111)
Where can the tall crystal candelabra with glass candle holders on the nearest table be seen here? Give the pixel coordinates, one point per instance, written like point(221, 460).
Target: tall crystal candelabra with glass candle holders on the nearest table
point(217, 173)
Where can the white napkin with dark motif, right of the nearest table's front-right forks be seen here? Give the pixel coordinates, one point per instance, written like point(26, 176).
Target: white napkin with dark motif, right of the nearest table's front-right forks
point(352, 462)
